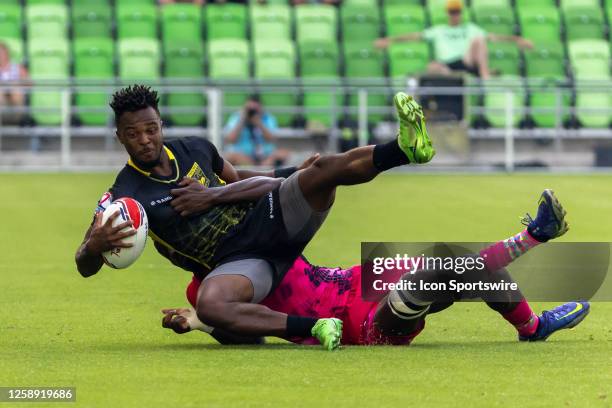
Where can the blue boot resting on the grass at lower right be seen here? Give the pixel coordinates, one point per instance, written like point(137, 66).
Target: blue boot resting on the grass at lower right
point(561, 317)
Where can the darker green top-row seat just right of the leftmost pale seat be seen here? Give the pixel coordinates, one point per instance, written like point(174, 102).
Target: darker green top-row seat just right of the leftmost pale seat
point(91, 20)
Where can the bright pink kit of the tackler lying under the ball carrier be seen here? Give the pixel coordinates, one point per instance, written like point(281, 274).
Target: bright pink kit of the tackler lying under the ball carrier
point(313, 291)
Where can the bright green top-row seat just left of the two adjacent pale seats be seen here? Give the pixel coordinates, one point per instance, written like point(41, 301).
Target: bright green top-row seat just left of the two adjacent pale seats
point(226, 21)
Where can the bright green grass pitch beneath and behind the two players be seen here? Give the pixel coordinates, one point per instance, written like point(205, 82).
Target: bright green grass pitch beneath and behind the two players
point(103, 334)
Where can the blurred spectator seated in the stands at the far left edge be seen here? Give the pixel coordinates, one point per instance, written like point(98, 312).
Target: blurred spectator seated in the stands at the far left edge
point(11, 72)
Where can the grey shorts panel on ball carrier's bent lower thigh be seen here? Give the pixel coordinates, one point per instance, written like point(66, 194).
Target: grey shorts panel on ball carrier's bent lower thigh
point(258, 271)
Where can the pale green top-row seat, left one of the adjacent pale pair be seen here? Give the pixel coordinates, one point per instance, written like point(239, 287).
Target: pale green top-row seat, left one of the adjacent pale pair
point(270, 22)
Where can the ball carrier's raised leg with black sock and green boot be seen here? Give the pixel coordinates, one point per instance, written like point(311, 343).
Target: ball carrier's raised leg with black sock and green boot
point(319, 181)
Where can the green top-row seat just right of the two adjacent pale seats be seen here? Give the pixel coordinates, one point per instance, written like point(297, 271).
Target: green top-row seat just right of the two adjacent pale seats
point(360, 24)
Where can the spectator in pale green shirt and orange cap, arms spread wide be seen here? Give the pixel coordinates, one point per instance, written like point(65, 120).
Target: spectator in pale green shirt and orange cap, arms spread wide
point(458, 46)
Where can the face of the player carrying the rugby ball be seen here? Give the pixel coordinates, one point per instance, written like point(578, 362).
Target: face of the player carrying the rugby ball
point(141, 135)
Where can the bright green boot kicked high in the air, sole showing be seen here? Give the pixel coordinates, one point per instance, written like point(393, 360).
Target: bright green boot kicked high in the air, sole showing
point(412, 138)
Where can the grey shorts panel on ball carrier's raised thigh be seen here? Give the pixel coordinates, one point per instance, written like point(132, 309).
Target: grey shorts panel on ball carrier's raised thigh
point(301, 221)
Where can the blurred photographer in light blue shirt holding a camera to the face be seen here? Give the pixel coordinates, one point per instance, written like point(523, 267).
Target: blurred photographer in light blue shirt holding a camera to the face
point(250, 137)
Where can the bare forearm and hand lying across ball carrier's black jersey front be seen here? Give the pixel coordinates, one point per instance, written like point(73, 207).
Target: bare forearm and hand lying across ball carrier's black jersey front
point(194, 198)
